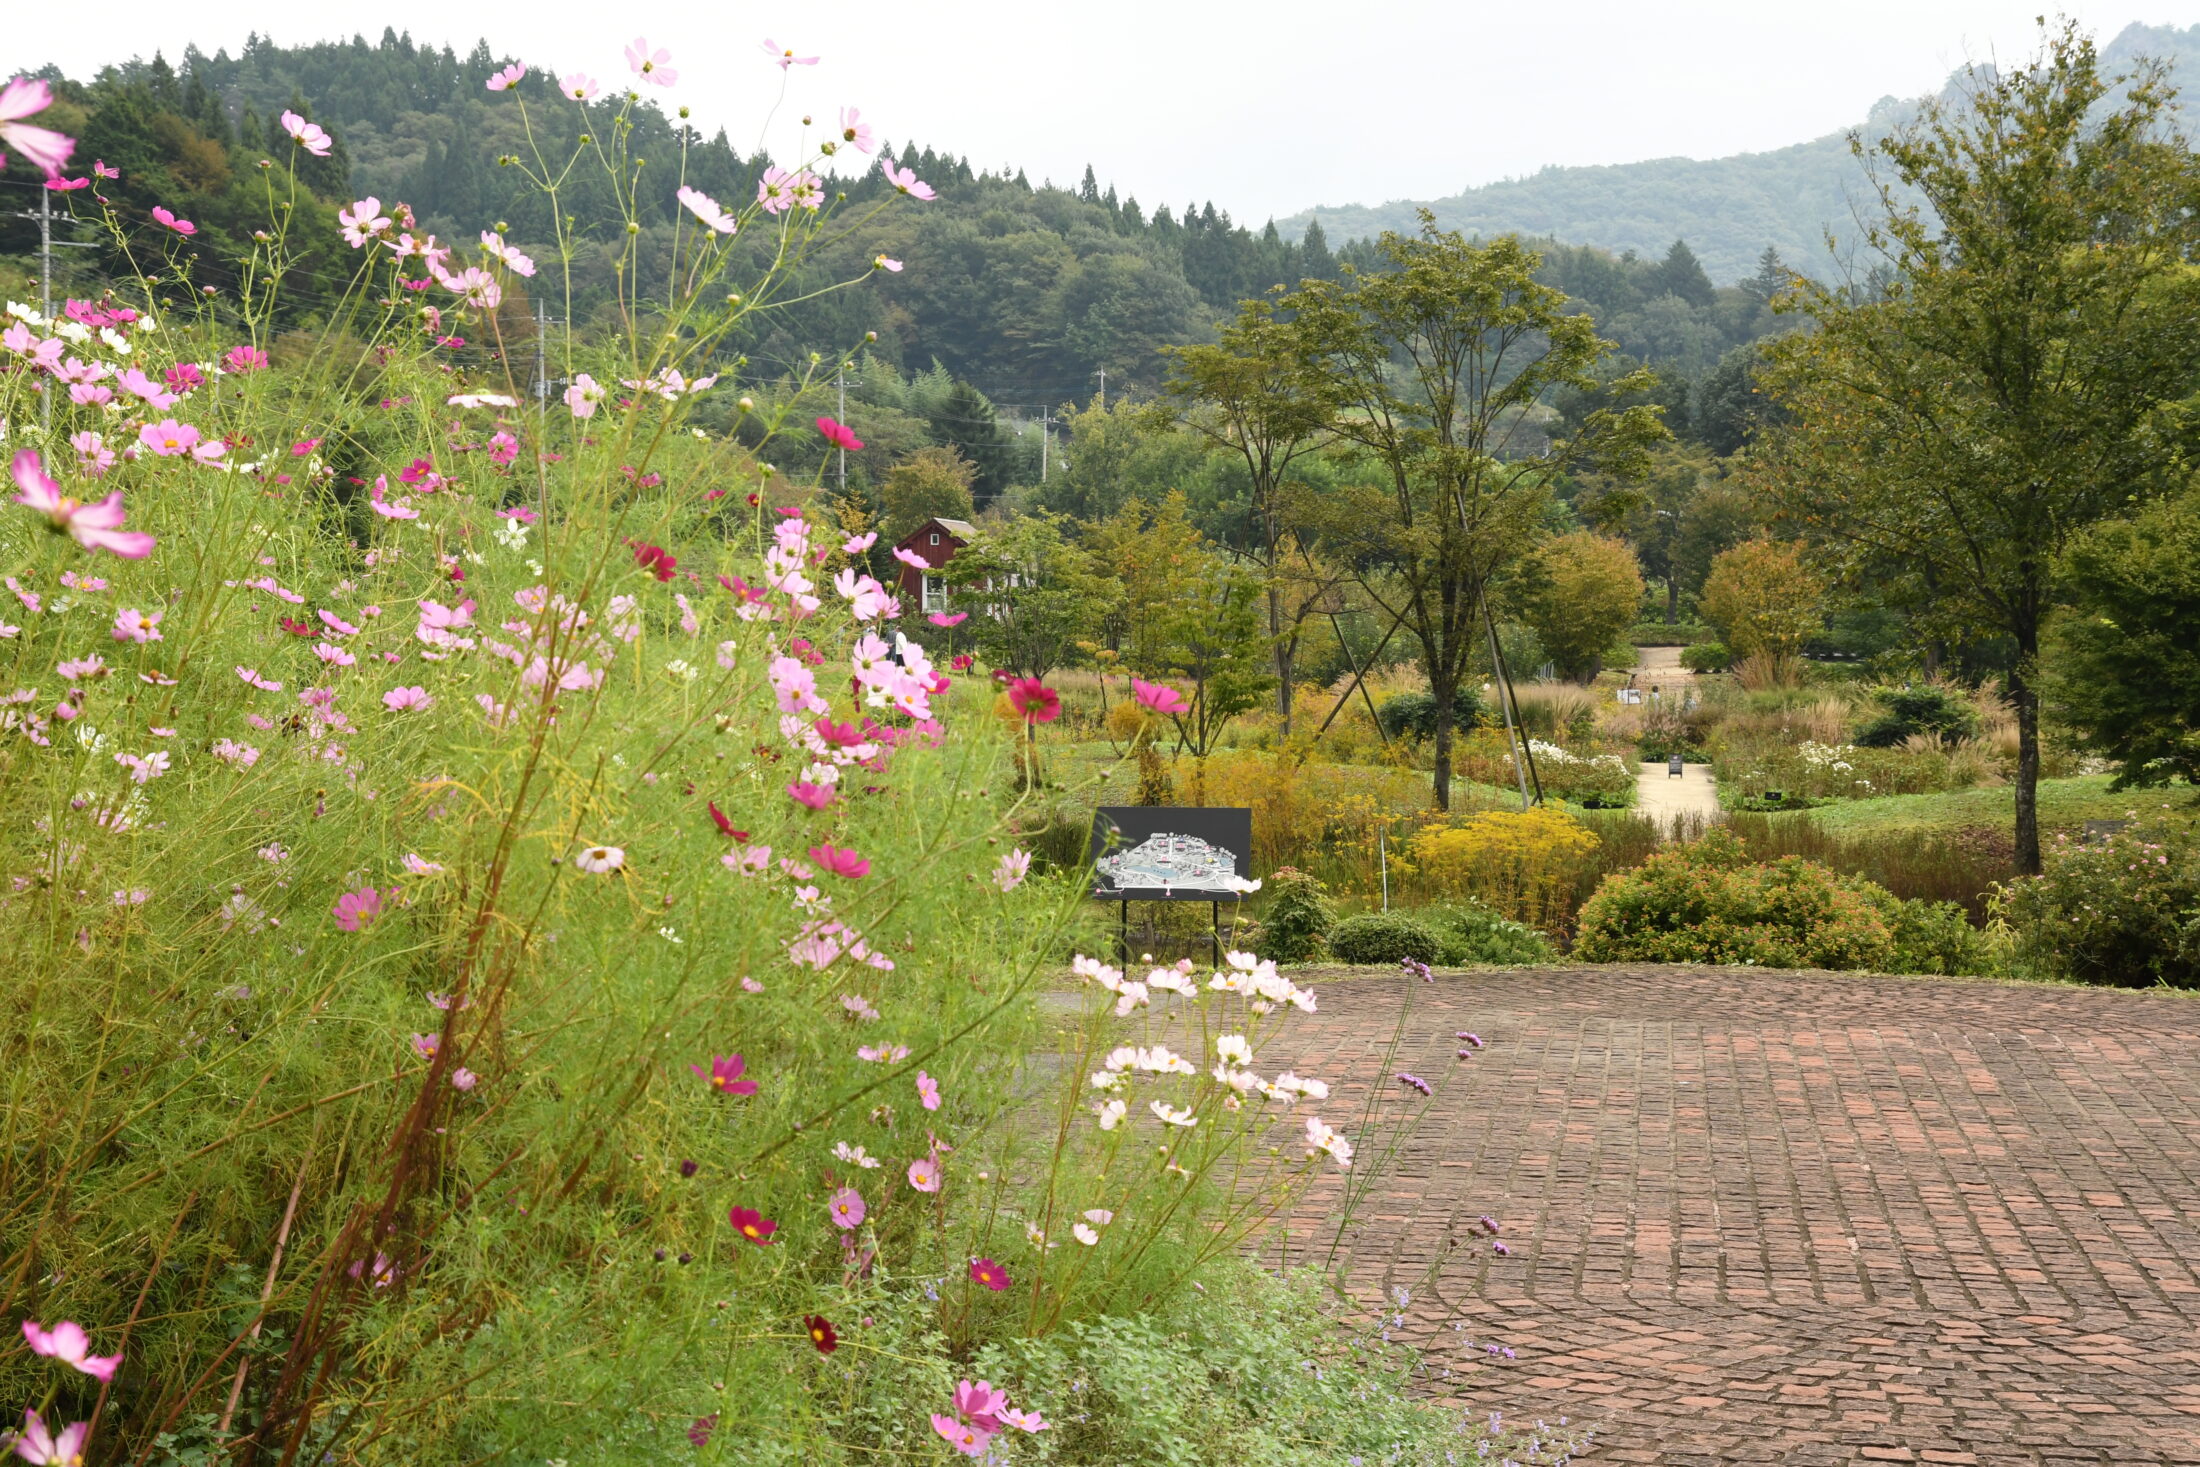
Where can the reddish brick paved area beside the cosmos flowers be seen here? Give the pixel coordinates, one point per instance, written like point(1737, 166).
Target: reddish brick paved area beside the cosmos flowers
point(1796, 1217)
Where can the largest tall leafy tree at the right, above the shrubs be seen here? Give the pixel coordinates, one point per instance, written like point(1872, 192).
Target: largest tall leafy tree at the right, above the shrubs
point(2007, 388)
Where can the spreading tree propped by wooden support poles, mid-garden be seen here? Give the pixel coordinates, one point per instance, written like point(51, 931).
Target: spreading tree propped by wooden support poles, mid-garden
point(1438, 366)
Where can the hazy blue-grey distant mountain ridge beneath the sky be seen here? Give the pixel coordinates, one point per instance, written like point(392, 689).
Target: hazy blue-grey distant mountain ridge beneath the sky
point(1728, 210)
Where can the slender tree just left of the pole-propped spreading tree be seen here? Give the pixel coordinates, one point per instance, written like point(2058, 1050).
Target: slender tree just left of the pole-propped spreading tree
point(1257, 395)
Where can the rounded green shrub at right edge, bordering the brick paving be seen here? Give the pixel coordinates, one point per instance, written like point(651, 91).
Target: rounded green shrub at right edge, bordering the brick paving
point(2122, 912)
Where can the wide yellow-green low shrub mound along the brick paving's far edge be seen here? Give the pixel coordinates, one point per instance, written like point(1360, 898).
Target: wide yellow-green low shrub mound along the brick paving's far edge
point(1708, 903)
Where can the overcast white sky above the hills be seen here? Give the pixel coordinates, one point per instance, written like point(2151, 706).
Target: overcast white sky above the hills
point(1266, 107)
